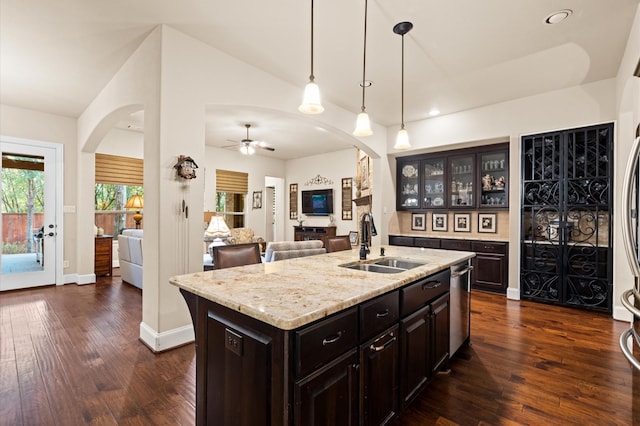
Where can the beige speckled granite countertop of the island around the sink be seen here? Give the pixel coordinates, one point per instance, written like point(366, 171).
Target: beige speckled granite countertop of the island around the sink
point(291, 293)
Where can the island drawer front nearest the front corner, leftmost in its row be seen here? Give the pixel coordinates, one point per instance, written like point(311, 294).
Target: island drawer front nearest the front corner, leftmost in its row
point(325, 341)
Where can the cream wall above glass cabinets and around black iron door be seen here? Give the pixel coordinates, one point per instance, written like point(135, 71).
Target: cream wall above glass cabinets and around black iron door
point(507, 121)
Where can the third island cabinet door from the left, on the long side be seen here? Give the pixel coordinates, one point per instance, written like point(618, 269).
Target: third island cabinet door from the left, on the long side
point(415, 354)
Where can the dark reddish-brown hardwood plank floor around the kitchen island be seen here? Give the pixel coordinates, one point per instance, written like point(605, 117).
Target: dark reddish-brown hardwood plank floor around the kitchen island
point(70, 355)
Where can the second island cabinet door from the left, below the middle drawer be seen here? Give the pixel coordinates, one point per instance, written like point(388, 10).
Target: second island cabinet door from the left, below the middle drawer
point(379, 378)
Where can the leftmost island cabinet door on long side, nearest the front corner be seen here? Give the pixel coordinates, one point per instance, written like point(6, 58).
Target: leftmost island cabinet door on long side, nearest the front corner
point(329, 396)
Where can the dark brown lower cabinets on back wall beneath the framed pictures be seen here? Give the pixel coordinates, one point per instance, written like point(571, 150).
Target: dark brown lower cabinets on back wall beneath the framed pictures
point(490, 266)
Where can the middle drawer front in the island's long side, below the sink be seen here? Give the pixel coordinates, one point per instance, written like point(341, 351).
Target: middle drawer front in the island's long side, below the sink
point(379, 314)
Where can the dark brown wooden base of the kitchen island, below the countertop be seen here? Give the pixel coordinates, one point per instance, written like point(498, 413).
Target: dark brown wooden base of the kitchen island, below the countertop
point(358, 366)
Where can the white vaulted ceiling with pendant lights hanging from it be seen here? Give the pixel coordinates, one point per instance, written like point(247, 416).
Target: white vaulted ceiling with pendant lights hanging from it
point(461, 54)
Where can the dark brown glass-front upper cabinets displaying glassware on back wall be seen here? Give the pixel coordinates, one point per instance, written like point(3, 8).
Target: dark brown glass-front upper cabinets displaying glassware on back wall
point(465, 178)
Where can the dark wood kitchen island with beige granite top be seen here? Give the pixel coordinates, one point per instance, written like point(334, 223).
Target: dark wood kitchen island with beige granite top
point(309, 341)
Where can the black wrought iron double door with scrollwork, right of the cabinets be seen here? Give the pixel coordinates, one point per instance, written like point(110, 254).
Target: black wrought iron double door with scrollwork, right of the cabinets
point(566, 252)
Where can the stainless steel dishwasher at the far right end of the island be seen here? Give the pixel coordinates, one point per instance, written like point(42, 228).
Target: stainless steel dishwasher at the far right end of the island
point(460, 305)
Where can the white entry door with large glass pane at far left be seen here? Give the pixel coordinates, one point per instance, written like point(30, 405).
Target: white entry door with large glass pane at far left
point(29, 229)
